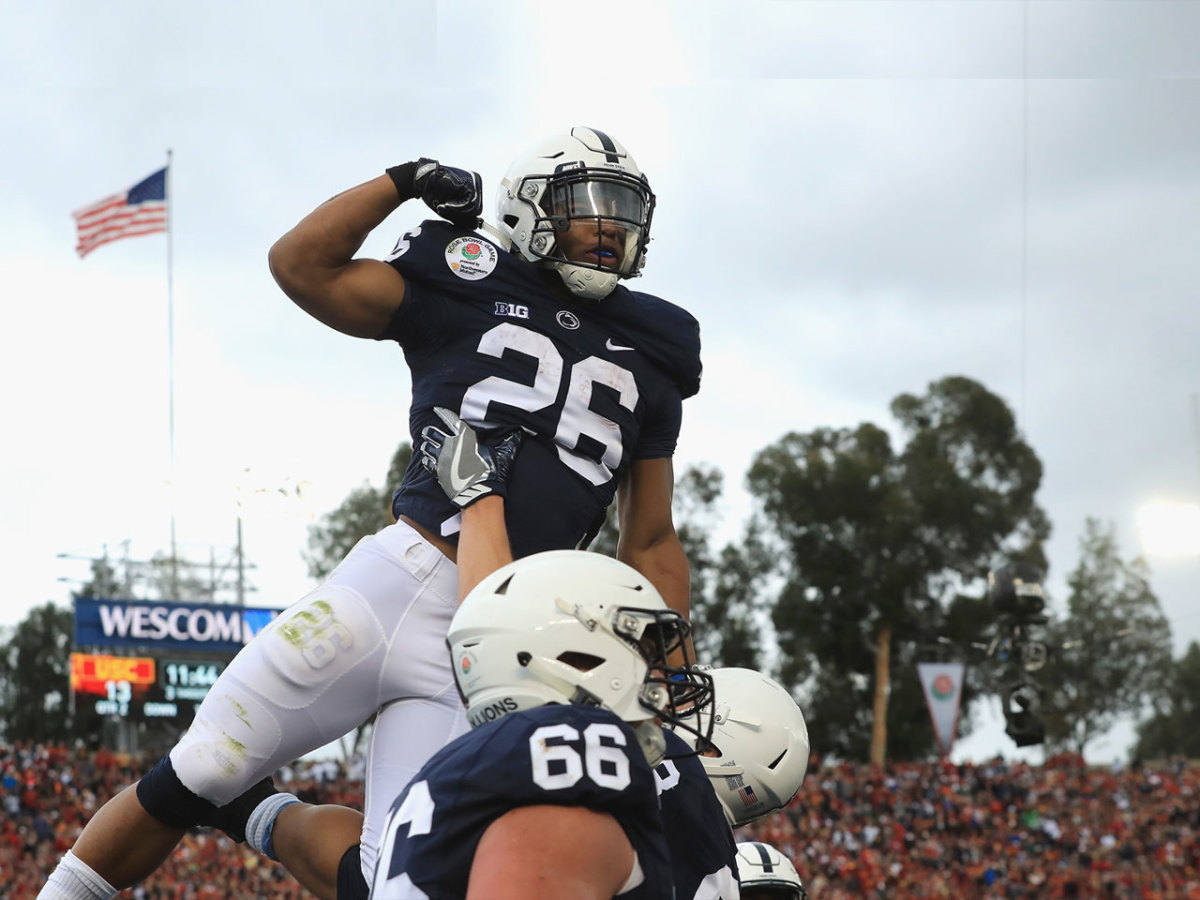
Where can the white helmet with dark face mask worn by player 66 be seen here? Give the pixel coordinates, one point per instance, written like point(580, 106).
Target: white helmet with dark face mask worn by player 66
point(572, 627)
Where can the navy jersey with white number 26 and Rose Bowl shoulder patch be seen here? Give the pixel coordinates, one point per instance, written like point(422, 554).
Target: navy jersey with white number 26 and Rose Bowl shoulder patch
point(503, 344)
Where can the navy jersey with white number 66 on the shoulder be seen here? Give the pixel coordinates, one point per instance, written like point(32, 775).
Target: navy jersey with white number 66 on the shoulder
point(556, 755)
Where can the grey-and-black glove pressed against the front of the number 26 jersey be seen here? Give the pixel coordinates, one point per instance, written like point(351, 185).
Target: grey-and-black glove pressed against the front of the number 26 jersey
point(466, 469)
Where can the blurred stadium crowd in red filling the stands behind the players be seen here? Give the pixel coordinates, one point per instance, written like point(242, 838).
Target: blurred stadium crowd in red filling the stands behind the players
point(997, 831)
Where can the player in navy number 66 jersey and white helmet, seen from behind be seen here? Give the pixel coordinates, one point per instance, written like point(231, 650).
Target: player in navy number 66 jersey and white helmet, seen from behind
point(562, 662)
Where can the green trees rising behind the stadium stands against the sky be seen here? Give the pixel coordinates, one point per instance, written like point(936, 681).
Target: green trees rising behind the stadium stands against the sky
point(862, 557)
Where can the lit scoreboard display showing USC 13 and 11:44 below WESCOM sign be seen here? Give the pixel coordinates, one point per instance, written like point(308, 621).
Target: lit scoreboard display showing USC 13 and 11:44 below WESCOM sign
point(143, 688)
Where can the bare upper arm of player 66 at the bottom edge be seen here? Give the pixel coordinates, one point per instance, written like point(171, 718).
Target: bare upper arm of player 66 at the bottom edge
point(551, 854)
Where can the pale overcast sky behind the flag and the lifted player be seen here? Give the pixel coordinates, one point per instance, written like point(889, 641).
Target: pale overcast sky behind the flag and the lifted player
point(856, 199)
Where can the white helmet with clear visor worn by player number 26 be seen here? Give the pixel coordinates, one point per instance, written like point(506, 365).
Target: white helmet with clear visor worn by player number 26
point(583, 176)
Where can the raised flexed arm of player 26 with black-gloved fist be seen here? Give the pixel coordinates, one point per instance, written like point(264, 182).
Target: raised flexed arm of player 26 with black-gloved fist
point(315, 262)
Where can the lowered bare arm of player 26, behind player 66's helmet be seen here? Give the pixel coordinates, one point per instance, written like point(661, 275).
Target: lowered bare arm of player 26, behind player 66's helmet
point(649, 541)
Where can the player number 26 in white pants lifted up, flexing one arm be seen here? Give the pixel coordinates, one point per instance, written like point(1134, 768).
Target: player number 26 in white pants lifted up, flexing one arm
point(526, 325)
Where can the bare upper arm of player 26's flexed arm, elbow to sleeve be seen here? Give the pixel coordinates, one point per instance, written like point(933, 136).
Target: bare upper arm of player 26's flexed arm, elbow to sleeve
point(358, 299)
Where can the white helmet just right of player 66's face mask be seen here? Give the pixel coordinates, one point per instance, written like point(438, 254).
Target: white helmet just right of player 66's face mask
point(760, 741)
